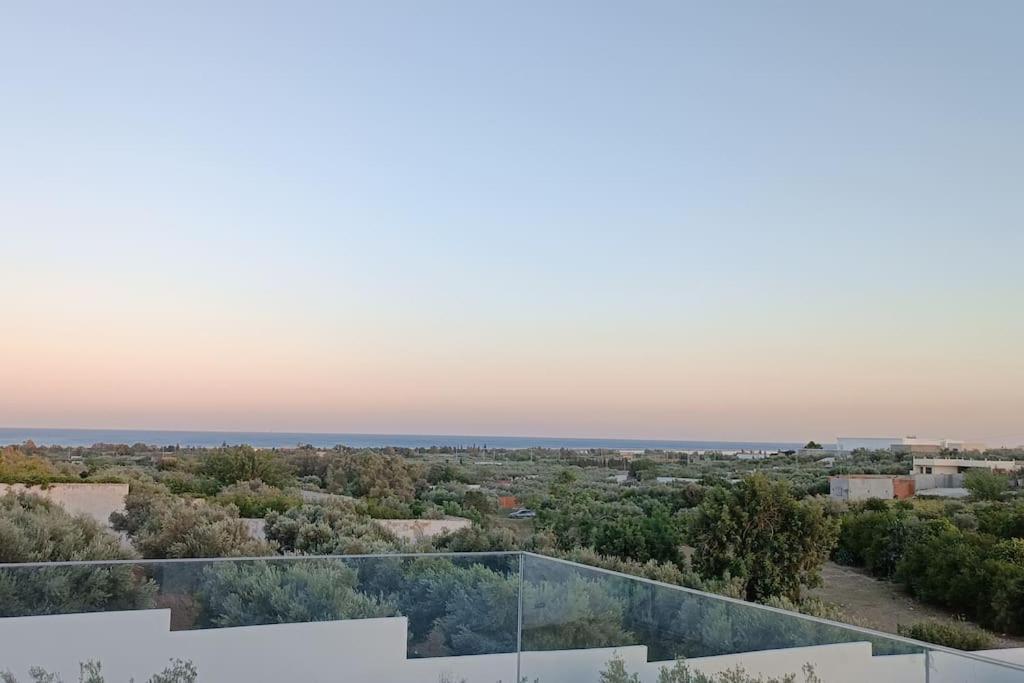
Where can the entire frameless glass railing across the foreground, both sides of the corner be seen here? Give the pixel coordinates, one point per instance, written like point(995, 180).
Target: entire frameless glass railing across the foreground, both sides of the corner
point(468, 618)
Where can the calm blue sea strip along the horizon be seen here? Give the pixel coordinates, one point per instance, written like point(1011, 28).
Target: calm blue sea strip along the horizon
point(271, 440)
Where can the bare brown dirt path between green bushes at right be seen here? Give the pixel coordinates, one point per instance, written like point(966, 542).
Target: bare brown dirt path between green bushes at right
point(881, 605)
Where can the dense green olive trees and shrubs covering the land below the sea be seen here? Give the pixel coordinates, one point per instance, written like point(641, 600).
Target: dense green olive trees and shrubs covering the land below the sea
point(738, 528)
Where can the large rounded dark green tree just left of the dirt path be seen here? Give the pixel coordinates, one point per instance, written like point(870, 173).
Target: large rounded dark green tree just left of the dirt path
point(759, 533)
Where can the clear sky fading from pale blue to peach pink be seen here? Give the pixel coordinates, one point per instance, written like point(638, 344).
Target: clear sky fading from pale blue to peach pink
point(739, 221)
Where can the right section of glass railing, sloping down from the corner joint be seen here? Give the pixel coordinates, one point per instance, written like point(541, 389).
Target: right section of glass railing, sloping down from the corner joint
point(581, 622)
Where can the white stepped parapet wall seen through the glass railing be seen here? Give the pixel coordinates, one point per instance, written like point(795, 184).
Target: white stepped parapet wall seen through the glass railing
point(137, 645)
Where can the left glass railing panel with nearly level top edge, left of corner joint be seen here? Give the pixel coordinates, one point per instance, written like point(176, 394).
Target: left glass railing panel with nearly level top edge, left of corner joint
point(355, 619)
